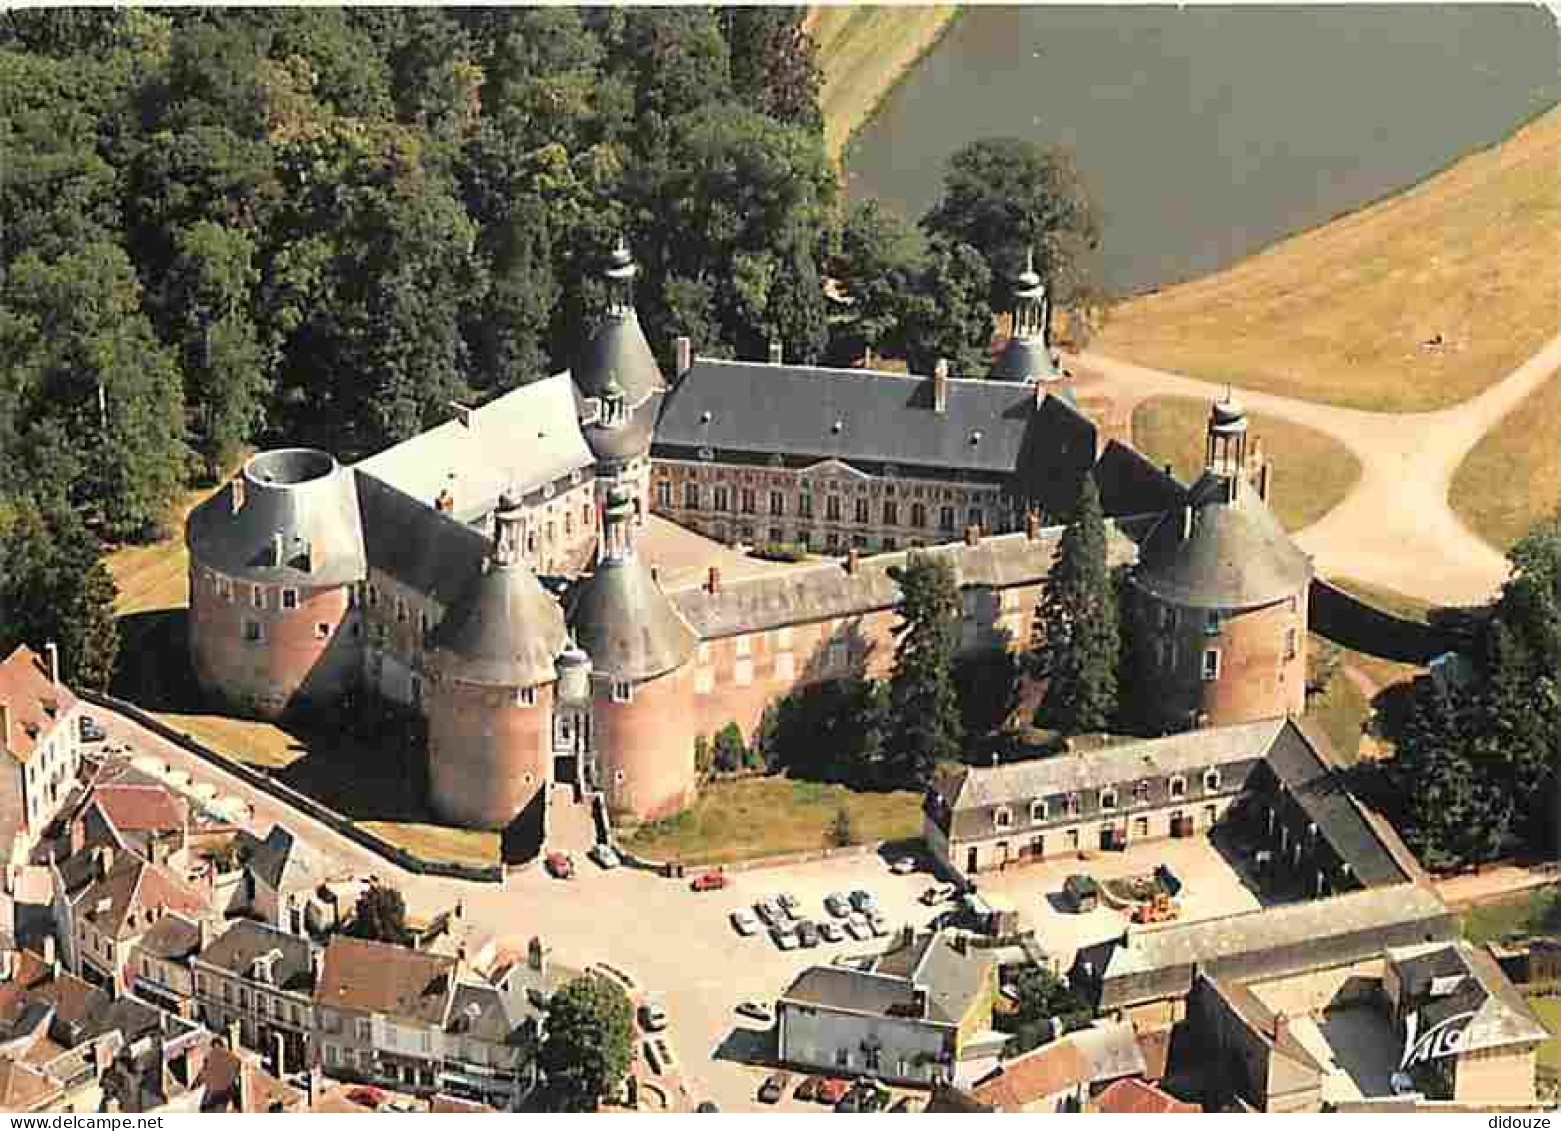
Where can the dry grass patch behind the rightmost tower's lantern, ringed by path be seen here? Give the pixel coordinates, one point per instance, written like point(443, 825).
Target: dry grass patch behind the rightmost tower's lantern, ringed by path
point(1312, 472)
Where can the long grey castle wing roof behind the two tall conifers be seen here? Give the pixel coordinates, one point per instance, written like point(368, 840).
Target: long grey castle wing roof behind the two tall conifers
point(823, 592)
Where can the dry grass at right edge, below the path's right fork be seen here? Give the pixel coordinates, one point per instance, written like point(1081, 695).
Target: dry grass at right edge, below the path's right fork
point(1513, 477)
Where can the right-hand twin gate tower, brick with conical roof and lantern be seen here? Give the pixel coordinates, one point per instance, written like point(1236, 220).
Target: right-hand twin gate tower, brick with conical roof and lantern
point(642, 686)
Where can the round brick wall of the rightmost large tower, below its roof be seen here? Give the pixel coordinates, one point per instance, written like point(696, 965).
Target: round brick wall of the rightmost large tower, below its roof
point(1262, 662)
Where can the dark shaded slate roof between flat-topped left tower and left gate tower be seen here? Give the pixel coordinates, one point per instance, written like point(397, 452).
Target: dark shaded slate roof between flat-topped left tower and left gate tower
point(422, 548)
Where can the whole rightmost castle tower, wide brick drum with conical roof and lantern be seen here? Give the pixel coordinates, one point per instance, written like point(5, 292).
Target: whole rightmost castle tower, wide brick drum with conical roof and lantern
point(1220, 597)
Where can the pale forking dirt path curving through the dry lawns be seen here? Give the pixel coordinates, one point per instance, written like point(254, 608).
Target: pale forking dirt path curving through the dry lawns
point(1395, 528)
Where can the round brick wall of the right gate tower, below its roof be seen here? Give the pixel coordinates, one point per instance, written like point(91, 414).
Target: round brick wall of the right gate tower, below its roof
point(645, 746)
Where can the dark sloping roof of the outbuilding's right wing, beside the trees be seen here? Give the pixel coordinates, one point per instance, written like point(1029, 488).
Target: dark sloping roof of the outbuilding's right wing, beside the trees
point(1315, 784)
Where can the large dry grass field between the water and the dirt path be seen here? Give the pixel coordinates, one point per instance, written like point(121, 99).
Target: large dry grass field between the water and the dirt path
point(1342, 313)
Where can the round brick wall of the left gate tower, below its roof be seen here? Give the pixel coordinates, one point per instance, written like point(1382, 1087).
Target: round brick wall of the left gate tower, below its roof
point(488, 751)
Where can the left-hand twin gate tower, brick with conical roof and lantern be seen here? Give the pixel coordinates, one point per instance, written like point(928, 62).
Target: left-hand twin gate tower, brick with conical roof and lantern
point(491, 703)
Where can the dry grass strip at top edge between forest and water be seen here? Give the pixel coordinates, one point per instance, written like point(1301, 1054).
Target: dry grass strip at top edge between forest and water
point(864, 52)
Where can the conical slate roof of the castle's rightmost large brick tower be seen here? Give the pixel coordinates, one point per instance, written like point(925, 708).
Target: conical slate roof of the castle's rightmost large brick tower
point(1236, 556)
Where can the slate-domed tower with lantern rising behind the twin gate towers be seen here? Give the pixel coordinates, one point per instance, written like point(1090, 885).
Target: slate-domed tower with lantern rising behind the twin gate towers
point(622, 388)
